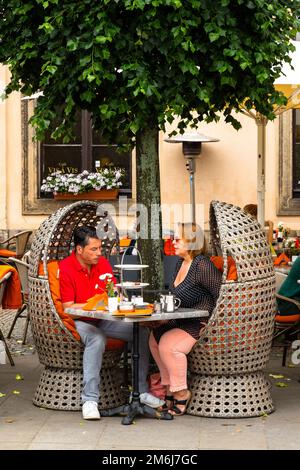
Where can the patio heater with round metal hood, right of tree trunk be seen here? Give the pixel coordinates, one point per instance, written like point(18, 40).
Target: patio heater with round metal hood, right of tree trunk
point(191, 148)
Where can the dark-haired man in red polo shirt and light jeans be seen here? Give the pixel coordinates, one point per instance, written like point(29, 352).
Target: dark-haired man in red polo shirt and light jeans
point(79, 280)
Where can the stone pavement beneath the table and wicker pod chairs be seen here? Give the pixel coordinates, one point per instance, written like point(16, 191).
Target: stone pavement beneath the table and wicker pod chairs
point(24, 426)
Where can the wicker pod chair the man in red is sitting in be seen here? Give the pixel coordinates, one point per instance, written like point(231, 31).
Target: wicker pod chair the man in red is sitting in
point(60, 383)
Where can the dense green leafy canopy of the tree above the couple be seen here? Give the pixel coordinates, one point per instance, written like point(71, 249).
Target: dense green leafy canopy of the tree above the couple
point(136, 64)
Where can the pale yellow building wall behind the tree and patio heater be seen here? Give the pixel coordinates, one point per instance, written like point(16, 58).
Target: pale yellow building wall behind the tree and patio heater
point(226, 170)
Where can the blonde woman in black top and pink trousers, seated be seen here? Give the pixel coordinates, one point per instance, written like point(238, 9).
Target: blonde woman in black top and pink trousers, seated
point(196, 282)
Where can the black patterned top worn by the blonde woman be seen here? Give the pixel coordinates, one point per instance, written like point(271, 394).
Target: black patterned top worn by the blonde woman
point(199, 289)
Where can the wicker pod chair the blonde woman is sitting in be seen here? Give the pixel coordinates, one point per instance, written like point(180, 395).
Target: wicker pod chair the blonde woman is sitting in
point(226, 365)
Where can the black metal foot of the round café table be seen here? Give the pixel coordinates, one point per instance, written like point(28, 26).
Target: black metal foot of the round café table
point(136, 409)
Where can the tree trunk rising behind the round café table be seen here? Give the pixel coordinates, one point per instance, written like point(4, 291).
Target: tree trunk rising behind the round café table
point(149, 215)
